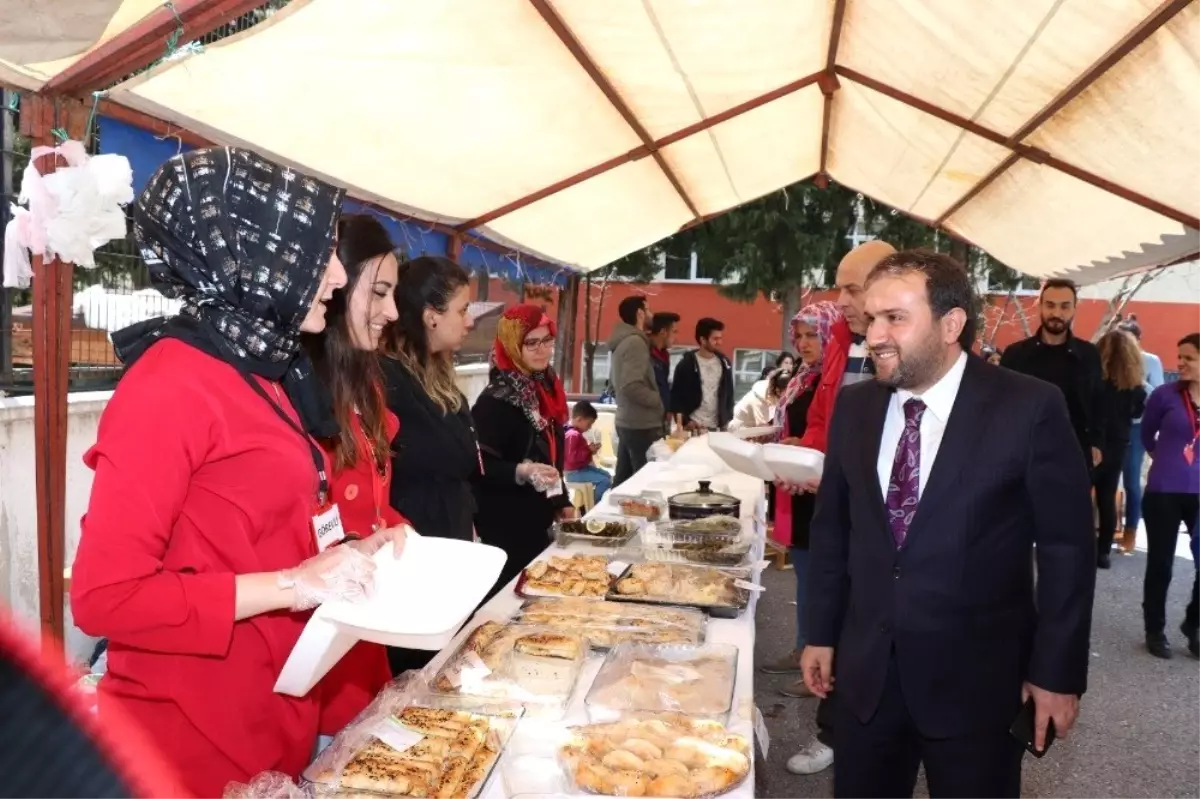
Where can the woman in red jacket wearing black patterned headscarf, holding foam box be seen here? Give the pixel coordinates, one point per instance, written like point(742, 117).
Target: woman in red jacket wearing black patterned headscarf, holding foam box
point(201, 552)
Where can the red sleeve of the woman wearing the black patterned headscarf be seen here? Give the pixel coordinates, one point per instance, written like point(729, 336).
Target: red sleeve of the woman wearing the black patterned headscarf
point(153, 437)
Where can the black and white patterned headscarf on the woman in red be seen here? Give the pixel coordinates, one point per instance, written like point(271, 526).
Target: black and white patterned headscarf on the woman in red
point(244, 243)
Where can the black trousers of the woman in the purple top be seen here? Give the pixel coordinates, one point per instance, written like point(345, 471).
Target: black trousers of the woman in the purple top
point(1165, 513)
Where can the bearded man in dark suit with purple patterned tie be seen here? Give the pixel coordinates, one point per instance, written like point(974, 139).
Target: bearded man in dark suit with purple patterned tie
point(941, 477)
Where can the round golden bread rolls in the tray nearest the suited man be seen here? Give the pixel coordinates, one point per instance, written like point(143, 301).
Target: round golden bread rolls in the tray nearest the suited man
point(667, 756)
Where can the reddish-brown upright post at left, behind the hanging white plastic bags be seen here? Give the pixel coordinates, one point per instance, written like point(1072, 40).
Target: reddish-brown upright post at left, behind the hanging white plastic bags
point(52, 350)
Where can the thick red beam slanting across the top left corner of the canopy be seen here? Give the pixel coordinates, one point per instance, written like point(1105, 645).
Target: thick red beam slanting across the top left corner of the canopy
point(145, 43)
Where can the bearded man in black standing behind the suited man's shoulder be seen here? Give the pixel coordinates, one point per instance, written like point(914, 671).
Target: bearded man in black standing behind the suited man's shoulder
point(1057, 357)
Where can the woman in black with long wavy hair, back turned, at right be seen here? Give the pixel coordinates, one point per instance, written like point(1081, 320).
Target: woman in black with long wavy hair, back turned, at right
point(1125, 399)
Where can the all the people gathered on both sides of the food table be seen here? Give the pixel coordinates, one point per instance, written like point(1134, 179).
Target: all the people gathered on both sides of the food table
point(302, 413)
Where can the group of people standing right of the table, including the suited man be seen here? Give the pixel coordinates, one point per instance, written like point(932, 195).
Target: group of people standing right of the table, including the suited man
point(941, 629)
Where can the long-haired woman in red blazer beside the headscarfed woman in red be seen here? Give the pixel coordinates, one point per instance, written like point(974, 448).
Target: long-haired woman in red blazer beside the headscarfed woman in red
point(345, 358)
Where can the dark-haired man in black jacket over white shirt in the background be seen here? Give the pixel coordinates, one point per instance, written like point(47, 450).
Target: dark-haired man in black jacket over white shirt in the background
point(703, 389)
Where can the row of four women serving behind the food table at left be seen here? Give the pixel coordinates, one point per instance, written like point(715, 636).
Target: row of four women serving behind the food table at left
point(297, 417)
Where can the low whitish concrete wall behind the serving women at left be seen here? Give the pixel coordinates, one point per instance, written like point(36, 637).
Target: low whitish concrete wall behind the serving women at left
point(19, 494)
